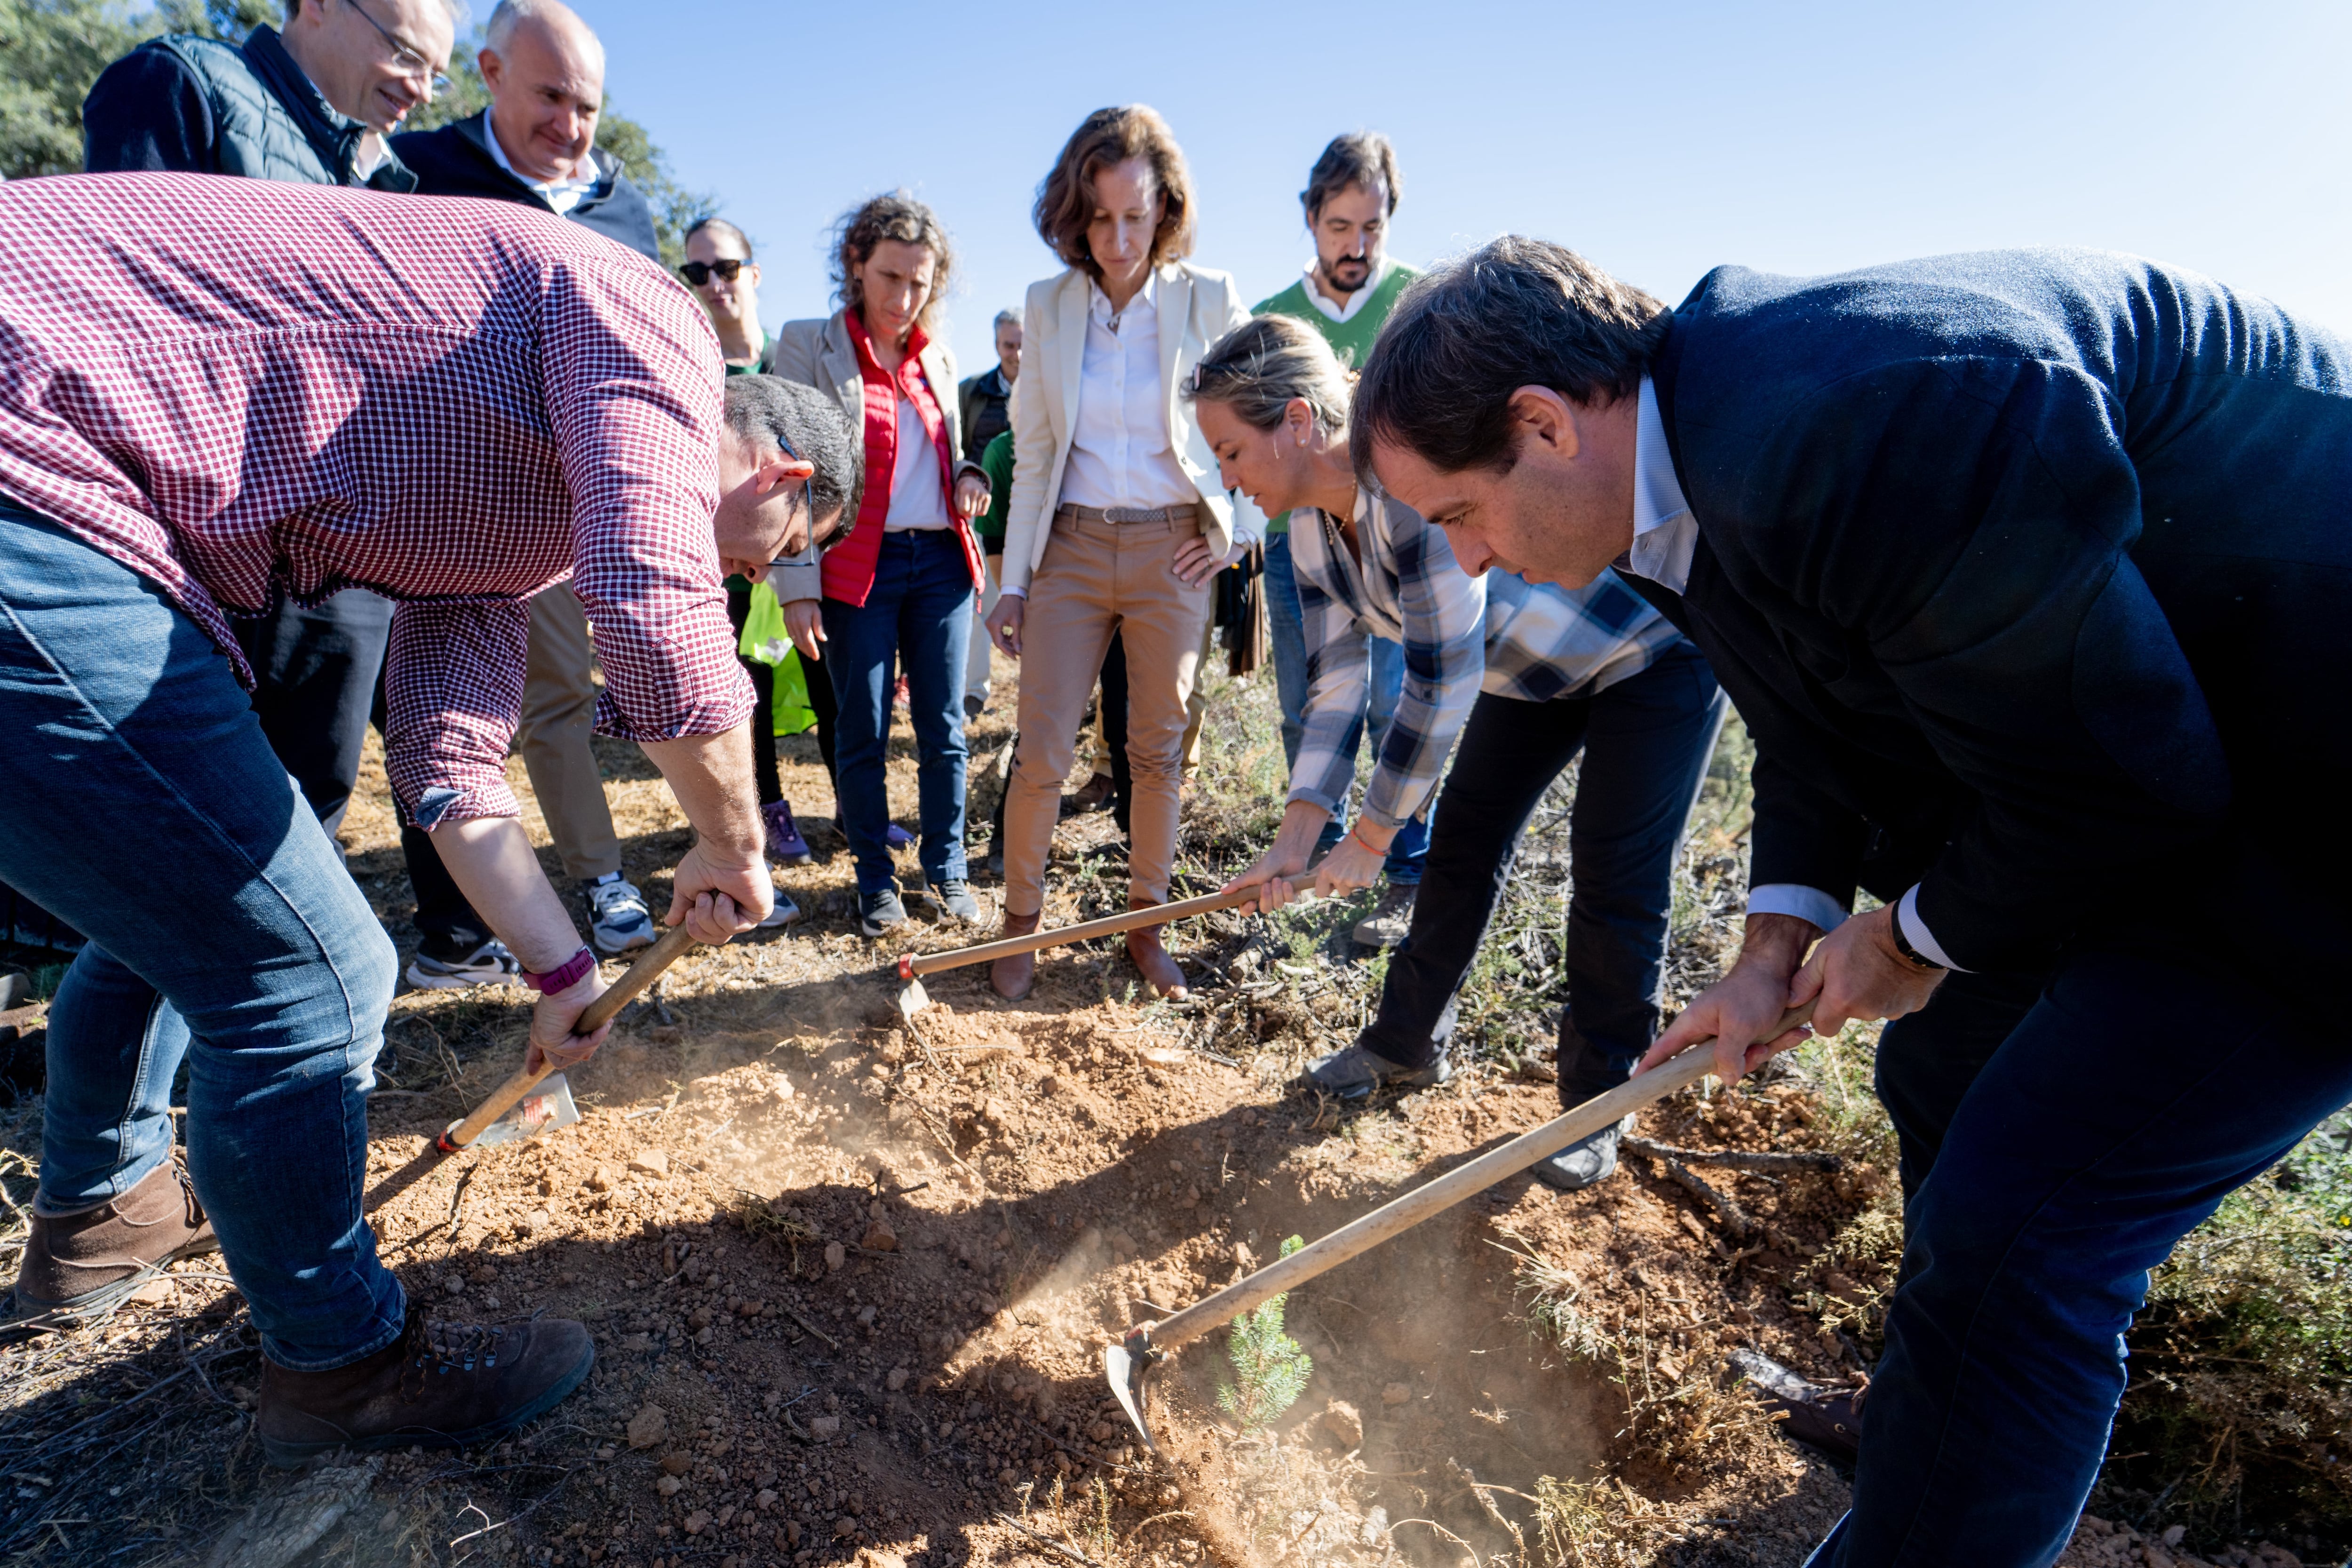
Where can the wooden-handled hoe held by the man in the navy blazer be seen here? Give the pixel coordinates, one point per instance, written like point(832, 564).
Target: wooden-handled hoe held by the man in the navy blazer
point(1149, 1343)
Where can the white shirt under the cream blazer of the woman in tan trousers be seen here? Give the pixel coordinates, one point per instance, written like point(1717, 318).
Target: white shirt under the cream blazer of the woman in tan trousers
point(1121, 448)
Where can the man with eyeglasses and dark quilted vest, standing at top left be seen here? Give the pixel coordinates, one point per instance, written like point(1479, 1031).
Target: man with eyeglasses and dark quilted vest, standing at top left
point(312, 105)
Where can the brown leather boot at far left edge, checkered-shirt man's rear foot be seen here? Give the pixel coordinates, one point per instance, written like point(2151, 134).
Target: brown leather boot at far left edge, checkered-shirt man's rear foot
point(81, 1266)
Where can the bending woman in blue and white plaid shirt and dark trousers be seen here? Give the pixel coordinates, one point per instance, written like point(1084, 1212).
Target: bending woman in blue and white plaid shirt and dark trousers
point(1523, 676)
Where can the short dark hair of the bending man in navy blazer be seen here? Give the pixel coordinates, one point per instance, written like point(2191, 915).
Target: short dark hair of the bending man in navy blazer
point(1471, 333)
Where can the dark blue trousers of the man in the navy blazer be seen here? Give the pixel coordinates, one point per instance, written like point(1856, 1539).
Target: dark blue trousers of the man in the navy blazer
point(2062, 1139)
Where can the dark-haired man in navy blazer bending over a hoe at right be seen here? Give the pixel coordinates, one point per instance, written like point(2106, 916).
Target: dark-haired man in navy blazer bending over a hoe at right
point(2031, 575)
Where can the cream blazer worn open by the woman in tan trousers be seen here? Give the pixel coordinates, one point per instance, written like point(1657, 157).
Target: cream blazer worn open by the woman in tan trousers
point(1196, 309)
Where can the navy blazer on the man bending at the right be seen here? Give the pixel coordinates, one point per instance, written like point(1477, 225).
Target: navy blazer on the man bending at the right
point(2031, 572)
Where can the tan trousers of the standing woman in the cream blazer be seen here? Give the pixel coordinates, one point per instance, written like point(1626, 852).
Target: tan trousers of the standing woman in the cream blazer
point(1100, 579)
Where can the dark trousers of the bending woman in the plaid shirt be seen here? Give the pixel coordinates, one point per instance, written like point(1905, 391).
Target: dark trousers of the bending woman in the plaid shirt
point(1648, 742)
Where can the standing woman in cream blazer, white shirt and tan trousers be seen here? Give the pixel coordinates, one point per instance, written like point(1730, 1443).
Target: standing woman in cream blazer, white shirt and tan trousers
point(1118, 521)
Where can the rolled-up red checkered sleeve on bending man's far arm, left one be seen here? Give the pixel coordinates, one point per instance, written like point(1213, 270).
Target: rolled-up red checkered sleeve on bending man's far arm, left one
point(453, 697)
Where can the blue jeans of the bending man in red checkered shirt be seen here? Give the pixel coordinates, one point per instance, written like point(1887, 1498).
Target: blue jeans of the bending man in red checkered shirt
point(142, 803)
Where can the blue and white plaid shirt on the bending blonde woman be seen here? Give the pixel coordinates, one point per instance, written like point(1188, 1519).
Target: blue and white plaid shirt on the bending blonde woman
point(1459, 634)
